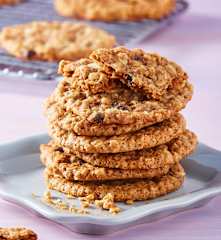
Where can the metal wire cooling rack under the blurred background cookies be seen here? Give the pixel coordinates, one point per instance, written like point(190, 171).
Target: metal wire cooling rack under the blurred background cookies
point(127, 33)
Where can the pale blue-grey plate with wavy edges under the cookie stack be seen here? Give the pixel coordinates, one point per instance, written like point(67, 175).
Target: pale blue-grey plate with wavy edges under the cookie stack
point(21, 175)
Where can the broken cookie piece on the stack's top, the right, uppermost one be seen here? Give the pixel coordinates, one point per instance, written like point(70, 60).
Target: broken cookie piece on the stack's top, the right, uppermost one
point(150, 73)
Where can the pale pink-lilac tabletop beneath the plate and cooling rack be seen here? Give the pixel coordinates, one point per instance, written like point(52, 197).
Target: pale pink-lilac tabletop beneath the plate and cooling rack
point(194, 41)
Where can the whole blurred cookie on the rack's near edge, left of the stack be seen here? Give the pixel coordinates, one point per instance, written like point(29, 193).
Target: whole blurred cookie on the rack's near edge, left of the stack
point(52, 41)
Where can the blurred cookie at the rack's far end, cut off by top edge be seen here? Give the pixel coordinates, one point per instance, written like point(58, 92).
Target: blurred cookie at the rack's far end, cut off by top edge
point(115, 10)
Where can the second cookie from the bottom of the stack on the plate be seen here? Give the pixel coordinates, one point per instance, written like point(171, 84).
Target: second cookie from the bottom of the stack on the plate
point(72, 168)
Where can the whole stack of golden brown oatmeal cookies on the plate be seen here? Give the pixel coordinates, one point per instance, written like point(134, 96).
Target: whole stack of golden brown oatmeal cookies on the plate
point(116, 128)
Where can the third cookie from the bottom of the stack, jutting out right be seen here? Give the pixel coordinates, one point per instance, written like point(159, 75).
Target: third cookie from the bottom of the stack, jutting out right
point(166, 154)
